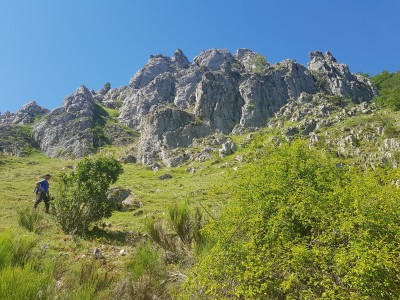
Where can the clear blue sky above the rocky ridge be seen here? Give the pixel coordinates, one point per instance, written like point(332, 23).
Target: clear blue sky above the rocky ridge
point(50, 47)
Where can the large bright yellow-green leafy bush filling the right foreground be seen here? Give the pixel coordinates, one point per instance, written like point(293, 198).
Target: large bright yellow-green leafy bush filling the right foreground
point(299, 226)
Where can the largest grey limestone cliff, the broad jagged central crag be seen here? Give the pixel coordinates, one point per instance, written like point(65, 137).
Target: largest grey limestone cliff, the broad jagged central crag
point(227, 93)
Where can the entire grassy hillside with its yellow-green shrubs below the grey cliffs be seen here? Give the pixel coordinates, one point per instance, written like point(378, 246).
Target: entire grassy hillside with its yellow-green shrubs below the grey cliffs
point(281, 218)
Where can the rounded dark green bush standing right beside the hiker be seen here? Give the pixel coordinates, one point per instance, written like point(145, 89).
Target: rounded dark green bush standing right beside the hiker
point(82, 194)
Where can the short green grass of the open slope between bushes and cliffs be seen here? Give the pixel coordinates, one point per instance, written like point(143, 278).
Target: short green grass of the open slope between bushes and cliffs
point(68, 254)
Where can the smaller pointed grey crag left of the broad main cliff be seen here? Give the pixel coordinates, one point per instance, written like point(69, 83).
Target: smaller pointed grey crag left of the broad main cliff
point(68, 130)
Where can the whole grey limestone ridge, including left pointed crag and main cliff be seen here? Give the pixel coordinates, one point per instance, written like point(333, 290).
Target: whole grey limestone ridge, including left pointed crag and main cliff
point(172, 102)
